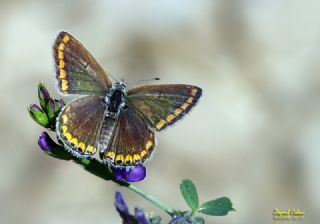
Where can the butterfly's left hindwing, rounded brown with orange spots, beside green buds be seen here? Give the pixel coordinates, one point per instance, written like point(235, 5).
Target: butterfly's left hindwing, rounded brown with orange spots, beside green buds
point(79, 124)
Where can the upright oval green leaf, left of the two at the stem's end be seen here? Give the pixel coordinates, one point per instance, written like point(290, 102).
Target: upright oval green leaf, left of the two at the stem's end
point(189, 193)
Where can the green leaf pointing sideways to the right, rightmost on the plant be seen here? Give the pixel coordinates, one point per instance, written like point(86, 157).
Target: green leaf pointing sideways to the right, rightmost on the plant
point(218, 207)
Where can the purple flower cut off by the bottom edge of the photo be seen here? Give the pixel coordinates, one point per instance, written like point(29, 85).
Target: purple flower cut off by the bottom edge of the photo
point(138, 217)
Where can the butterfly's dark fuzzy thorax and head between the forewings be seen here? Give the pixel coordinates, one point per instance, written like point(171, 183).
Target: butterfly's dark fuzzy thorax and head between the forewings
point(115, 99)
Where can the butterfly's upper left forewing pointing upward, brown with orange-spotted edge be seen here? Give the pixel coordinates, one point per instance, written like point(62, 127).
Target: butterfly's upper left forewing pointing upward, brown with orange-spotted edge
point(76, 70)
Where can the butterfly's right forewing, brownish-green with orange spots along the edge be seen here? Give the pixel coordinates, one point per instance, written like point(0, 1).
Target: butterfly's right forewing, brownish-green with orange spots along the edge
point(163, 105)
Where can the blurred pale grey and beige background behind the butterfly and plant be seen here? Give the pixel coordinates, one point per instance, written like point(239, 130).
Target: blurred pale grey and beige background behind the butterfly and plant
point(254, 136)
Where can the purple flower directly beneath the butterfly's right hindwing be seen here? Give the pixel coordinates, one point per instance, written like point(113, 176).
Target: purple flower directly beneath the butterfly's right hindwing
point(130, 174)
